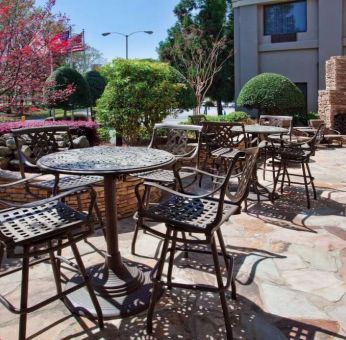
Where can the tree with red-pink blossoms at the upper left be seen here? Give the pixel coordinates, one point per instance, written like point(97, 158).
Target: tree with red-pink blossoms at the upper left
point(26, 56)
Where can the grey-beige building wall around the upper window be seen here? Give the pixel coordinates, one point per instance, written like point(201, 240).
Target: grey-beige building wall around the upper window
point(302, 61)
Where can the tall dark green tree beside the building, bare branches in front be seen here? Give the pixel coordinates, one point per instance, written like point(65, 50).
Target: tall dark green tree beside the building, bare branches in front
point(200, 46)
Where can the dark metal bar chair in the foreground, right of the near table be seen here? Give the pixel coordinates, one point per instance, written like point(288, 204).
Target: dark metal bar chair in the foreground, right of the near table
point(201, 216)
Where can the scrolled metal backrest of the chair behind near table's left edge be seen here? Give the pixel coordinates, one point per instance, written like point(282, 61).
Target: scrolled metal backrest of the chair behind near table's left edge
point(41, 141)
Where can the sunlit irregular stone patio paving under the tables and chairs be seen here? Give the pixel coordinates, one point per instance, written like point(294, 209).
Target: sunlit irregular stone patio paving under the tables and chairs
point(290, 273)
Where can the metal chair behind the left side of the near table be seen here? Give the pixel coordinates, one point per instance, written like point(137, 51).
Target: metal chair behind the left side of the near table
point(43, 141)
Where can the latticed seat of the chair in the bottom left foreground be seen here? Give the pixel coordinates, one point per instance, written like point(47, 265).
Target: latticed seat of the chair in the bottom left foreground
point(31, 225)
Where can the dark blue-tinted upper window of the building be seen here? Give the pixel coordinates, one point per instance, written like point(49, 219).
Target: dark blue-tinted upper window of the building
point(285, 18)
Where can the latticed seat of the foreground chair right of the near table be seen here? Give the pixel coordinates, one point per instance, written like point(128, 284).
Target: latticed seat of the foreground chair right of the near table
point(190, 215)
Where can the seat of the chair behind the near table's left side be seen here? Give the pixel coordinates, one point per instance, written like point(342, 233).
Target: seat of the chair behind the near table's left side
point(68, 182)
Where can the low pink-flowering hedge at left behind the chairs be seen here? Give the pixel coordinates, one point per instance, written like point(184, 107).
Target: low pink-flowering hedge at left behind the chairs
point(80, 128)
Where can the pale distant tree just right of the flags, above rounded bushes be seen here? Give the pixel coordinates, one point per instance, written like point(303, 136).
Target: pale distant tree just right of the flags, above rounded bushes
point(85, 60)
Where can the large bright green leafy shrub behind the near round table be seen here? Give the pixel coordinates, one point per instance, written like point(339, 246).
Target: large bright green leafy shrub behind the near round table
point(139, 94)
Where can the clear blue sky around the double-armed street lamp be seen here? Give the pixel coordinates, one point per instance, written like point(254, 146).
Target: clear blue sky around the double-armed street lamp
point(124, 16)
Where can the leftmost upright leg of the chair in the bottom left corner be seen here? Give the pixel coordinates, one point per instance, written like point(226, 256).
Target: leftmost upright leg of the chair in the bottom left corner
point(24, 295)
